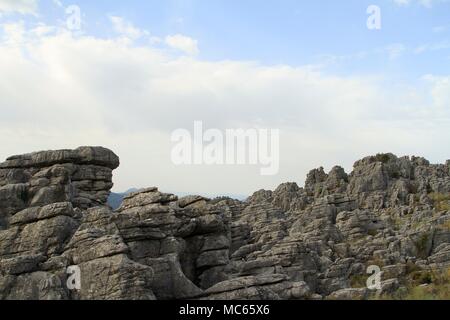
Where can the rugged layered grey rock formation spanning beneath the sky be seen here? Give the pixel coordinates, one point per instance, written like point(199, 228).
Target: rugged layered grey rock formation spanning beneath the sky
point(314, 242)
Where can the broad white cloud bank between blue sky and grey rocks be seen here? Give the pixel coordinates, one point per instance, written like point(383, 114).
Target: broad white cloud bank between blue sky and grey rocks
point(61, 91)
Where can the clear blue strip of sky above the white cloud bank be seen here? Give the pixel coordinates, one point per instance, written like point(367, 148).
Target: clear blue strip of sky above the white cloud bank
point(287, 32)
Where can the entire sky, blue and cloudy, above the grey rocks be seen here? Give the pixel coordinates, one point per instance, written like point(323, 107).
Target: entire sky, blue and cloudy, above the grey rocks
point(131, 72)
